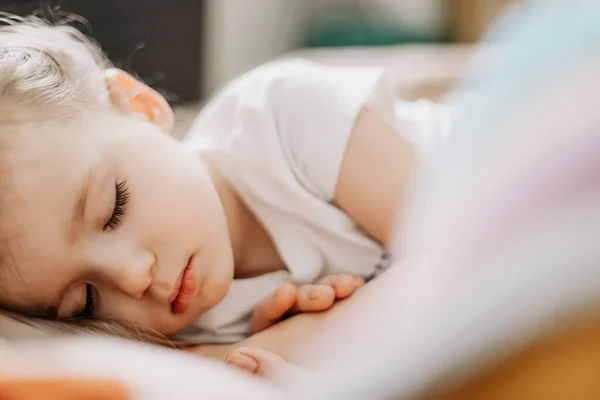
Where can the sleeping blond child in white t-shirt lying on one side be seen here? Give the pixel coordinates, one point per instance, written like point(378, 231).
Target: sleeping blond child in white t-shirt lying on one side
point(280, 200)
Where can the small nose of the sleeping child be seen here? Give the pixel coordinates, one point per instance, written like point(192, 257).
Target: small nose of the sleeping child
point(129, 271)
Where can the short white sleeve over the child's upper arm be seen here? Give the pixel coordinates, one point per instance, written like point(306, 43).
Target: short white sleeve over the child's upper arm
point(315, 108)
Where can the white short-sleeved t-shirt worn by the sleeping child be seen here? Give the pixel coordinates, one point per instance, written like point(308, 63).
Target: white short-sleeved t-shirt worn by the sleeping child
point(278, 134)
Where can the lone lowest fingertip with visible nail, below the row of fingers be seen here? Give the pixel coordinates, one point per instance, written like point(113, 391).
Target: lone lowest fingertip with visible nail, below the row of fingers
point(259, 362)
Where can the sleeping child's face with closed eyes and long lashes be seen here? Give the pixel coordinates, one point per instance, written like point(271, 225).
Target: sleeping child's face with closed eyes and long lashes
point(62, 242)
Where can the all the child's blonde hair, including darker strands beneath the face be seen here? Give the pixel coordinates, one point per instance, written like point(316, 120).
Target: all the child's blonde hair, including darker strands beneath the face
point(48, 74)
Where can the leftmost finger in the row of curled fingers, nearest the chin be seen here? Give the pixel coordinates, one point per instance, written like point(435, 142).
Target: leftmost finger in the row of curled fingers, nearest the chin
point(273, 307)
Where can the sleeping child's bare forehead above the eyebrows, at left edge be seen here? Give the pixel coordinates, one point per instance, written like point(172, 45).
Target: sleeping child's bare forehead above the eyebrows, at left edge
point(43, 175)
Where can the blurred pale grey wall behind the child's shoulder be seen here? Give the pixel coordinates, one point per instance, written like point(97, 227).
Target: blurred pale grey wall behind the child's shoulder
point(241, 34)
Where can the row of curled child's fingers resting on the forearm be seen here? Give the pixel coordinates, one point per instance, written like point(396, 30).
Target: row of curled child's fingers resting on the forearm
point(289, 299)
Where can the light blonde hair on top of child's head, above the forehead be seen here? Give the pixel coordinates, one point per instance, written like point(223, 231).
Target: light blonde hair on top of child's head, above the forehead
point(48, 72)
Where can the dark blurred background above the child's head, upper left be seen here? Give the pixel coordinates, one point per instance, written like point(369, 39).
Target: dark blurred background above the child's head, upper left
point(157, 40)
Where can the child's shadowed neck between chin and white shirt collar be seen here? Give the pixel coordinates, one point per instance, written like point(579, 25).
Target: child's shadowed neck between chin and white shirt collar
point(253, 250)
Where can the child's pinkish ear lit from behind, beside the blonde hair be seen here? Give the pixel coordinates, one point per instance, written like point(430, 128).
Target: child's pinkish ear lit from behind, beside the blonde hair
point(133, 96)
